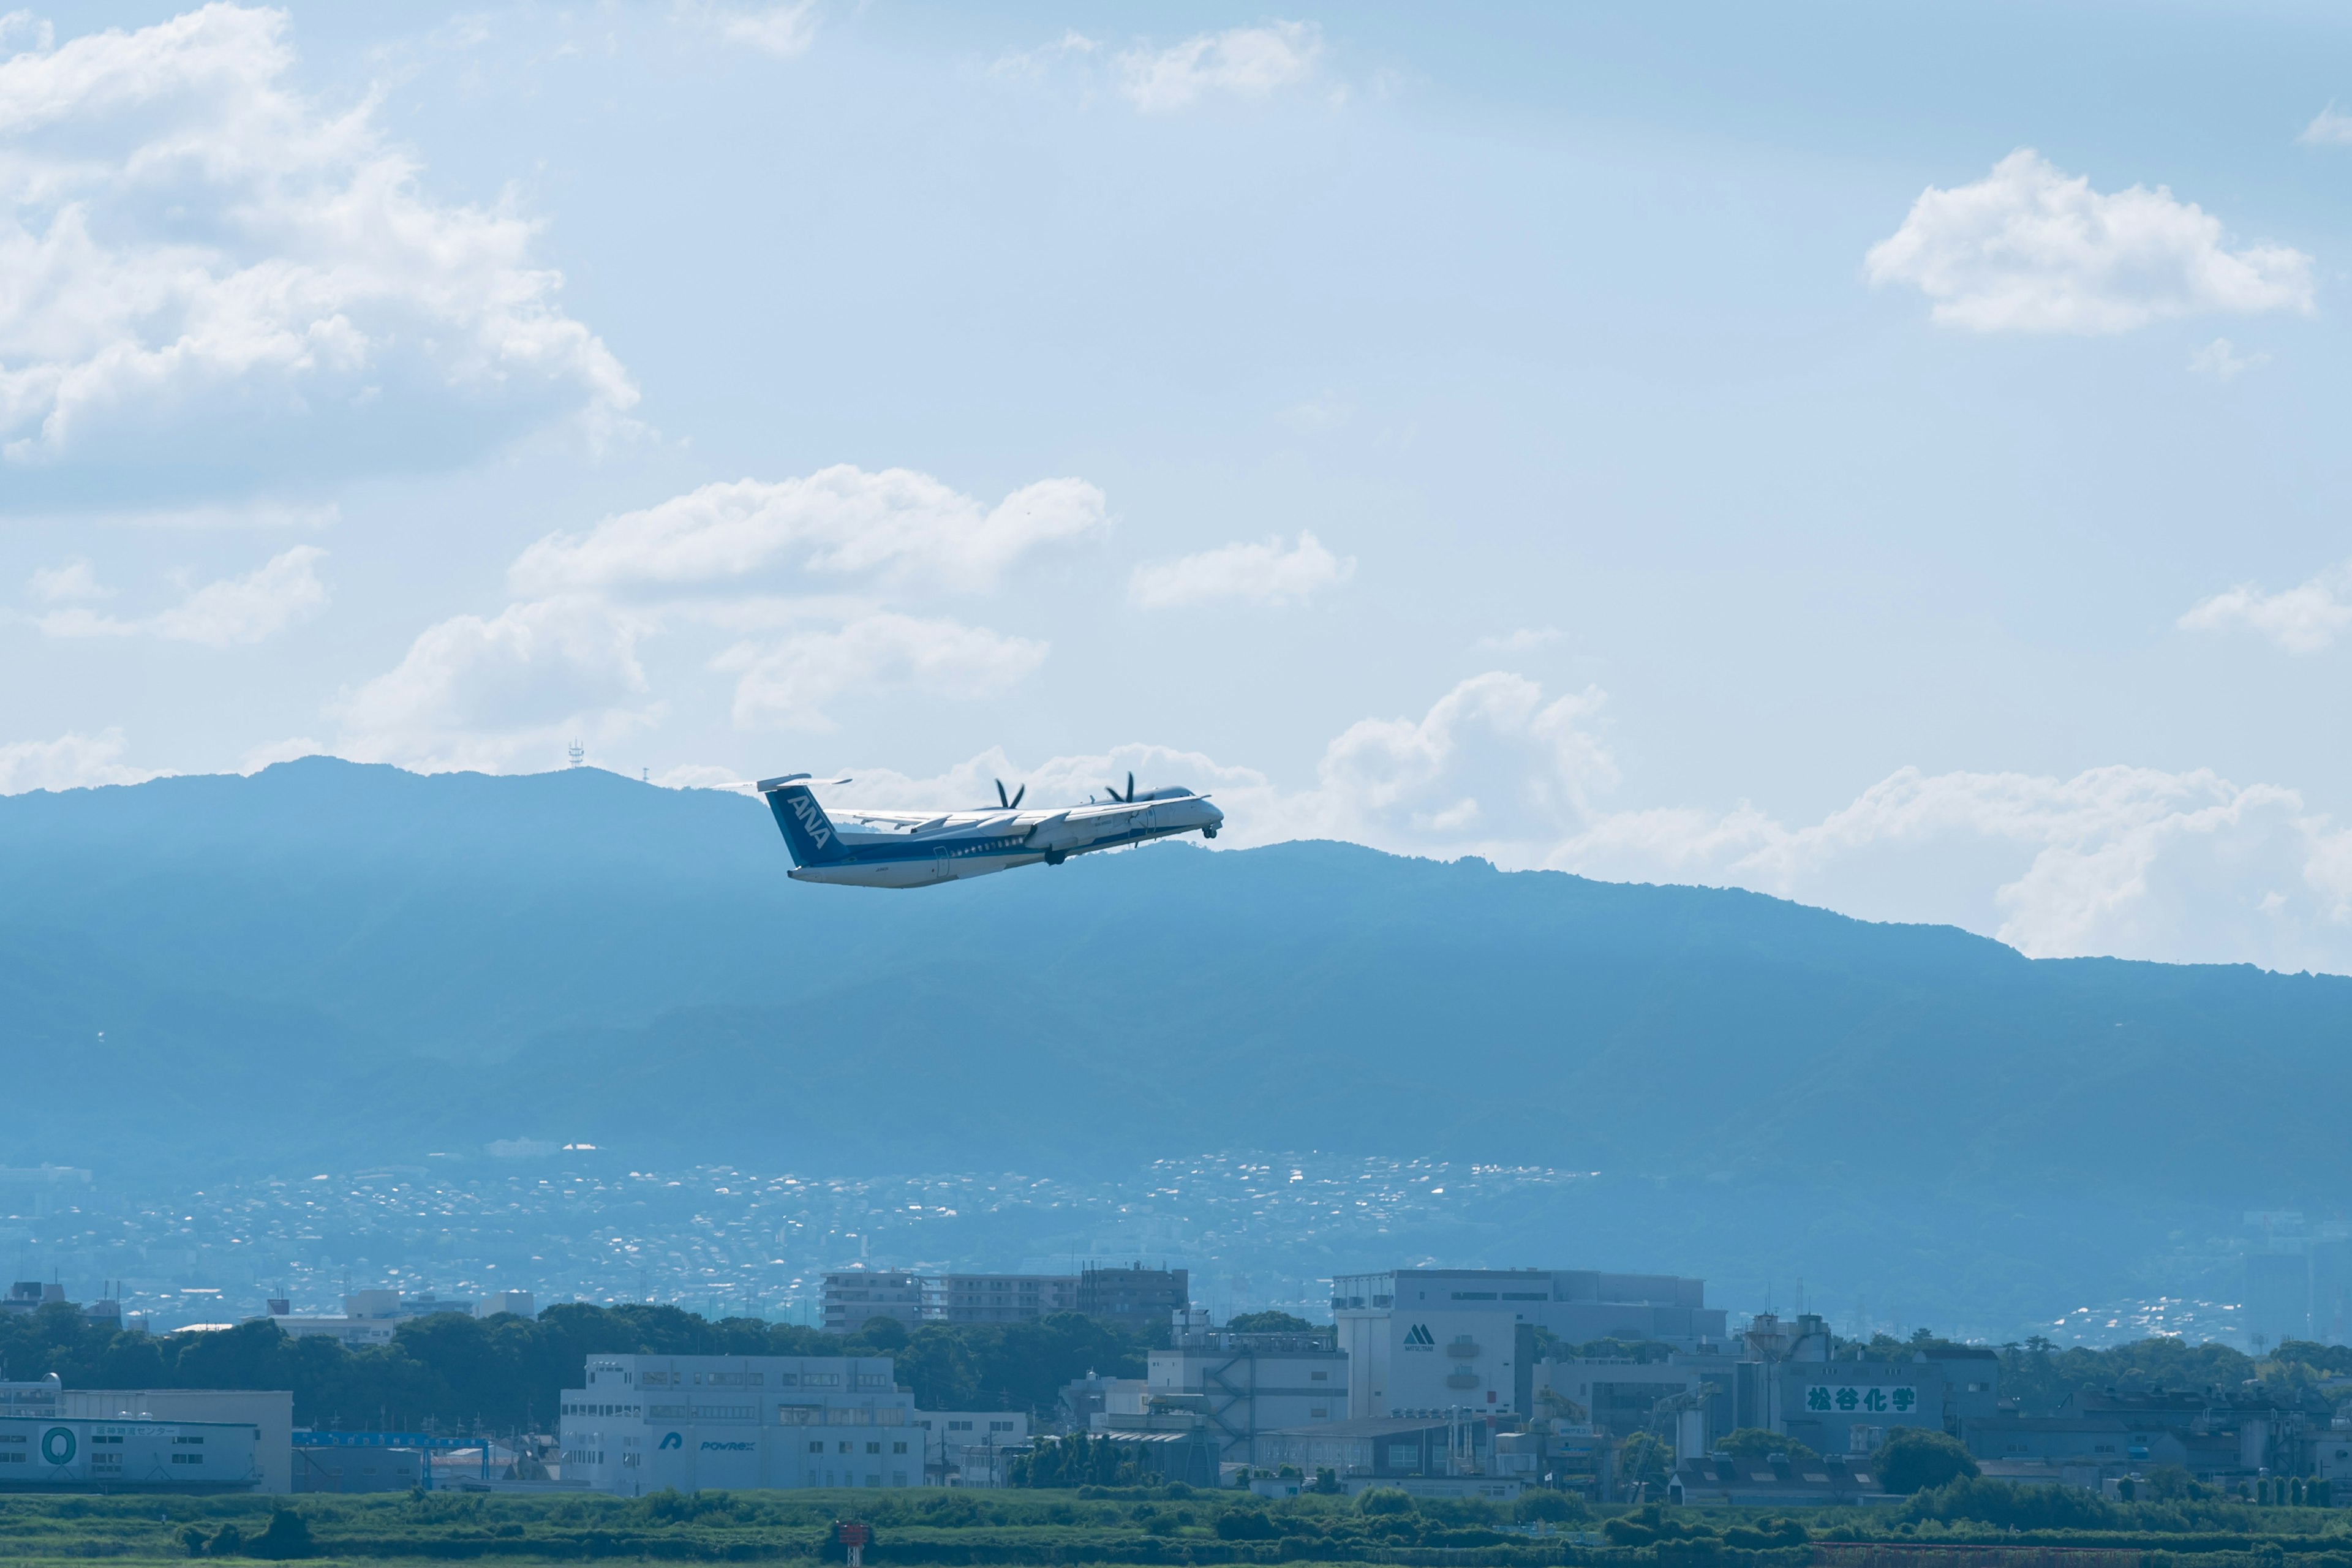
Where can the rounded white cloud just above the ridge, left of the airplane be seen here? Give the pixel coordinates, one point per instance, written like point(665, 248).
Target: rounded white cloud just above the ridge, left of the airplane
point(507, 690)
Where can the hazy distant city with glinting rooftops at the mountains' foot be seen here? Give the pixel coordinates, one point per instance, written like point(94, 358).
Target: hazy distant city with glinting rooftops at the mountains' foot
point(1255, 1233)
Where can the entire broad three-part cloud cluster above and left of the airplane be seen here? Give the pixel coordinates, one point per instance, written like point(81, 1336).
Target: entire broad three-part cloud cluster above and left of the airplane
point(820, 584)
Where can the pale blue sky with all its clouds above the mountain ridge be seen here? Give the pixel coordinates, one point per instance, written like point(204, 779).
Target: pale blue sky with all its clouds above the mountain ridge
point(1887, 460)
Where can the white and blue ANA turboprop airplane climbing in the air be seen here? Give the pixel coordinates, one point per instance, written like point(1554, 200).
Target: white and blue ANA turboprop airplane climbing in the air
point(918, 850)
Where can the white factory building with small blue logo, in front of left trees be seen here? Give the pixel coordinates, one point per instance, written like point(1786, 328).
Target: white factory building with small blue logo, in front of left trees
point(646, 1423)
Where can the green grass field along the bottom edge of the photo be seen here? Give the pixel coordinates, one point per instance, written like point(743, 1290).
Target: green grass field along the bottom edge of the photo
point(1144, 1527)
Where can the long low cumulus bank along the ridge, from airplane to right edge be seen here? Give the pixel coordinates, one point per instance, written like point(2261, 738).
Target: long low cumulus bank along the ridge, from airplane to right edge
point(2111, 862)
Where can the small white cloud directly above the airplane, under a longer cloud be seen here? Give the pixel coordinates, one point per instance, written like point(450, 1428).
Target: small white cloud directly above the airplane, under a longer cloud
point(789, 683)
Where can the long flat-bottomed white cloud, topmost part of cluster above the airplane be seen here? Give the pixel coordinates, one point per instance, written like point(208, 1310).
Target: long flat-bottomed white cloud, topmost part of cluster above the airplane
point(836, 523)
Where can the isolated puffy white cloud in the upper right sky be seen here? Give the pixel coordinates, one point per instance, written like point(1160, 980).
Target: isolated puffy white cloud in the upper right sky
point(2036, 250)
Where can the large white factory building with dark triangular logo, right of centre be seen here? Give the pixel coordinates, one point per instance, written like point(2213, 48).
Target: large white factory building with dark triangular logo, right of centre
point(1431, 1341)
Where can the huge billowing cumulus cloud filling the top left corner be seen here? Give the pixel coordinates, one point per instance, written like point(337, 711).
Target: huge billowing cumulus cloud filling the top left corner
point(211, 276)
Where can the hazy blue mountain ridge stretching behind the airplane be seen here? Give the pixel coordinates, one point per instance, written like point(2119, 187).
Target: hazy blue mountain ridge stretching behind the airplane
point(632, 965)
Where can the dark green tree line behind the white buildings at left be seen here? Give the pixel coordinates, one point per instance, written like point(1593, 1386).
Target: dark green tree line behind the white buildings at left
point(505, 1374)
